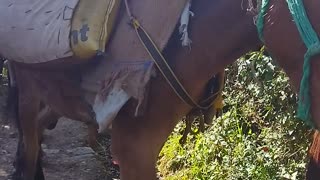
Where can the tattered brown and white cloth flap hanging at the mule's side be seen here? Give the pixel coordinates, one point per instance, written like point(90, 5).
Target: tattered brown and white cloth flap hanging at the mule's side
point(122, 81)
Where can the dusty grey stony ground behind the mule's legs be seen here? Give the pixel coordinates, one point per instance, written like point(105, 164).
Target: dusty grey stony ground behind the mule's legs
point(67, 155)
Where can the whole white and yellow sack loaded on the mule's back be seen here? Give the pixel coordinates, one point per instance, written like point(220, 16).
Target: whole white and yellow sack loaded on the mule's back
point(34, 31)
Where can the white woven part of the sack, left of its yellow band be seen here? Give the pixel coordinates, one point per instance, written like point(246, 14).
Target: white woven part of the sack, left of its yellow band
point(35, 31)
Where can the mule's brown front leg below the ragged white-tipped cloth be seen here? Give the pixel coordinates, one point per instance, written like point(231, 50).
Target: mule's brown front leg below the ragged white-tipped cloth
point(136, 143)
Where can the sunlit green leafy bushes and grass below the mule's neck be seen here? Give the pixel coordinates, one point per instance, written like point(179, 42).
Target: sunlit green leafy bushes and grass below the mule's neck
point(256, 138)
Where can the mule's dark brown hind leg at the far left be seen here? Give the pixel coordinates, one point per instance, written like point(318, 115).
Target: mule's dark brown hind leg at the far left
point(28, 108)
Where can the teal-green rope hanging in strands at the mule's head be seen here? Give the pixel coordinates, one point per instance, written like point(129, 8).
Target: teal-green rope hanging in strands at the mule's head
point(311, 41)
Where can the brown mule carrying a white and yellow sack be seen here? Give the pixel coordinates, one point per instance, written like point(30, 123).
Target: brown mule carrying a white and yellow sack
point(222, 30)
